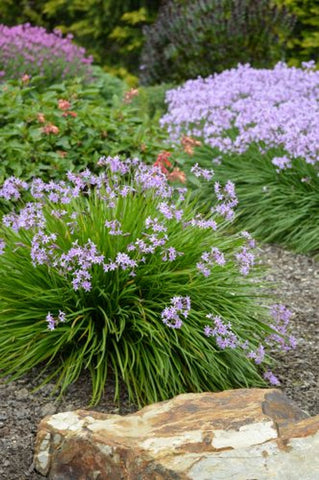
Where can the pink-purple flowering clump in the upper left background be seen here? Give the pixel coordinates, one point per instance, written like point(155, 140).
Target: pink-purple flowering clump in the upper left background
point(27, 51)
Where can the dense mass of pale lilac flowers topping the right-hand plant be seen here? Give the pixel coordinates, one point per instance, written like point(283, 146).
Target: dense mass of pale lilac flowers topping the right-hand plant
point(277, 107)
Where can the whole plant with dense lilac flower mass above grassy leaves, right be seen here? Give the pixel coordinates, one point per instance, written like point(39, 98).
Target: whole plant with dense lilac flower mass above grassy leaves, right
point(259, 128)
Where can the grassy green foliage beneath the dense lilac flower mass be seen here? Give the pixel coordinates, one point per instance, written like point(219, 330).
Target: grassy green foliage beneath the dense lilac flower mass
point(275, 206)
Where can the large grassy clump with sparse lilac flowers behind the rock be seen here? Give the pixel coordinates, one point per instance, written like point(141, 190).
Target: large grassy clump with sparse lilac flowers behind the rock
point(118, 274)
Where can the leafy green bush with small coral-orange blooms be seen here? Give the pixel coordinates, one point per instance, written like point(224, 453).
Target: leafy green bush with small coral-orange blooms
point(69, 126)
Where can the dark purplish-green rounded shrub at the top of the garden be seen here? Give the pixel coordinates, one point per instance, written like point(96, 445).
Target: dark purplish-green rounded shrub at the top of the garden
point(192, 38)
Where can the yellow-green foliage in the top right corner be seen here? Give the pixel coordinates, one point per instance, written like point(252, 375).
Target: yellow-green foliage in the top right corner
point(303, 43)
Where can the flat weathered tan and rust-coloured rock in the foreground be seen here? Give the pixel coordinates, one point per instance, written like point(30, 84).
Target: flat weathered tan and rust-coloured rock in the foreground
point(248, 434)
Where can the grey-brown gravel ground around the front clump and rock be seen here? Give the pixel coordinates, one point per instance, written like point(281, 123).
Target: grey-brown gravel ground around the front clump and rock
point(297, 282)
